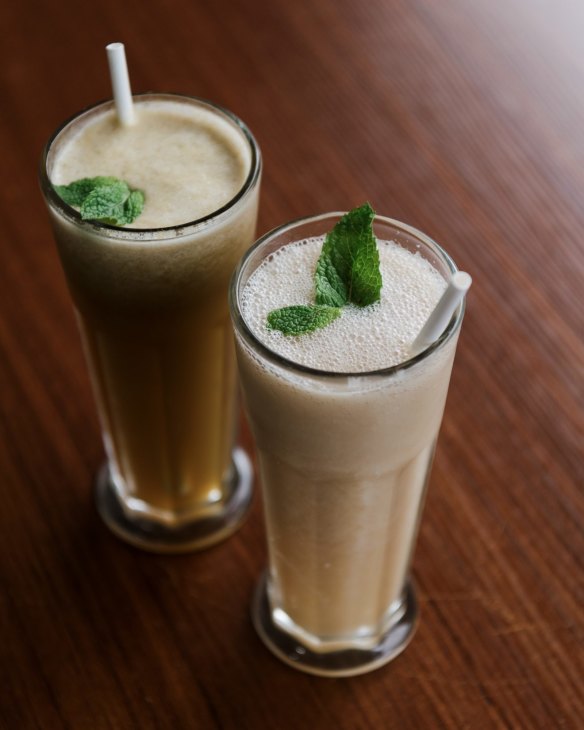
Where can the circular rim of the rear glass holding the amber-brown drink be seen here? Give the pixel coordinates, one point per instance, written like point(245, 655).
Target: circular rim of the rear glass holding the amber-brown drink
point(161, 233)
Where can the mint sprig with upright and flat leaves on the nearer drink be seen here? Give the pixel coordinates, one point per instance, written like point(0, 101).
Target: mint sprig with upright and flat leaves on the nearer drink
point(347, 272)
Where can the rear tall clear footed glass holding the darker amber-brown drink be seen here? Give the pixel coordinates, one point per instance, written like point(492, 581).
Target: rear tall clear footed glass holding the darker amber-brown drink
point(152, 310)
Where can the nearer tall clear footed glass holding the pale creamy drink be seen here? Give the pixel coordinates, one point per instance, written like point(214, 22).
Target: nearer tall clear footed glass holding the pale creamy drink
point(344, 461)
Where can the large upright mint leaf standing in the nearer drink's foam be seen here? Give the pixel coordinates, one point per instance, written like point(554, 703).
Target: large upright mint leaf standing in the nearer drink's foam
point(348, 267)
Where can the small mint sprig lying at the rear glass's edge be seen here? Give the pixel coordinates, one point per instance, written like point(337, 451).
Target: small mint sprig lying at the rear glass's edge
point(104, 199)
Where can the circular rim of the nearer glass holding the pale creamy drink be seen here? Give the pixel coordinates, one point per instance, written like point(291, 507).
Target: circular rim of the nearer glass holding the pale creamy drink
point(241, 327)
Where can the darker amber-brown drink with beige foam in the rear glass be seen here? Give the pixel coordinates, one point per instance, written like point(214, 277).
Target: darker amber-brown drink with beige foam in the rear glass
point(152, 308)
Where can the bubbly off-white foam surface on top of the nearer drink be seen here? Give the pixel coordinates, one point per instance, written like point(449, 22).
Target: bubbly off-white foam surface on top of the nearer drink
point(362, 338)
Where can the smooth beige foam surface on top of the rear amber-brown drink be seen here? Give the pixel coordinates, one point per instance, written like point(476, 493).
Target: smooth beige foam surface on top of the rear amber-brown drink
point(188, 161)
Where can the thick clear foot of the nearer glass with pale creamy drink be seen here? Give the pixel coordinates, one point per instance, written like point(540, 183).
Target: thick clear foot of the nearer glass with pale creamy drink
point(339, 662)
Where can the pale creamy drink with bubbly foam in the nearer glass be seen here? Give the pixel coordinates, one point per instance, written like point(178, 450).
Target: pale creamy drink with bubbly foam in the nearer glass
point(343, 459)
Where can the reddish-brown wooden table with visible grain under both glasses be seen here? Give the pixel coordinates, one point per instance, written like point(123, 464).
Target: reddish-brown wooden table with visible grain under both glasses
point(464, 119)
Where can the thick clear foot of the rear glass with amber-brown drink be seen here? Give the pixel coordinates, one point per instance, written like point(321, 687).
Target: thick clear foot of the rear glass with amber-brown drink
point(199, 533)
